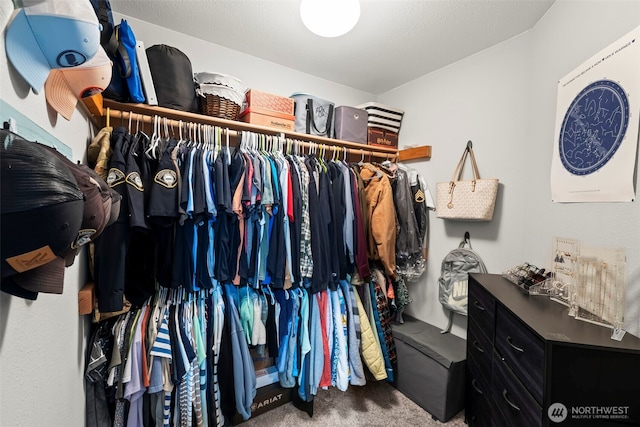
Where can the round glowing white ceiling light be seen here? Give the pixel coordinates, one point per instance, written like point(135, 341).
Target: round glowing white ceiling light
point(330, 18)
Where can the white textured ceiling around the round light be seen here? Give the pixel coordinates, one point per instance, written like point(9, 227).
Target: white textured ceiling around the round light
point(394, 42)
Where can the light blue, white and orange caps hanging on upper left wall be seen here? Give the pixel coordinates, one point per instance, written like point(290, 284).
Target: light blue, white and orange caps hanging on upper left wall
point(58, 42)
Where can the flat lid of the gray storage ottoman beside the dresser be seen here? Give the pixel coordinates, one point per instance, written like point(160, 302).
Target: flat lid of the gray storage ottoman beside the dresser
point(445, 349)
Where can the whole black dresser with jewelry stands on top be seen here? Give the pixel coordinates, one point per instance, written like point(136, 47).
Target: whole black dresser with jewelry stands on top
point(530, 364)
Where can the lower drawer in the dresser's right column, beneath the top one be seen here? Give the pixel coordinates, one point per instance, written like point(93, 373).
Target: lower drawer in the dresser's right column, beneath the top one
point(512, 399)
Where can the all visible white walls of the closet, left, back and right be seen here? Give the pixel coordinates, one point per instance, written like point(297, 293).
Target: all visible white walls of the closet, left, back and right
point(503, 99)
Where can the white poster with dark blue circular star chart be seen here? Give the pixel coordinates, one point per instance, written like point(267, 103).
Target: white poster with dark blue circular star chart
point(596, 134)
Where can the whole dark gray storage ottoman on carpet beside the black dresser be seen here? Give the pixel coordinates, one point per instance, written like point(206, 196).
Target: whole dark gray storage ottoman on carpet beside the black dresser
point(431, 367)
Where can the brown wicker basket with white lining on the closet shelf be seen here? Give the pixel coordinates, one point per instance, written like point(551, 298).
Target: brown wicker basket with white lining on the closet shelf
point(221, 95)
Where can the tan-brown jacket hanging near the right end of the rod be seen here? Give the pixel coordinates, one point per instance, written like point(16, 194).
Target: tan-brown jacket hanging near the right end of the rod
point(382, 218)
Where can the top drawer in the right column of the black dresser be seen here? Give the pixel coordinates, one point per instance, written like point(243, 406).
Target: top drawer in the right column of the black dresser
point(522, 350)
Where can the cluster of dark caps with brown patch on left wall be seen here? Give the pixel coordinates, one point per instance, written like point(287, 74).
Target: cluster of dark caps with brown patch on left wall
point(50, 207)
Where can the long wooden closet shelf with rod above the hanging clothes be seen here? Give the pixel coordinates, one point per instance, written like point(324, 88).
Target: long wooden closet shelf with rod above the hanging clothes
point(105, 110)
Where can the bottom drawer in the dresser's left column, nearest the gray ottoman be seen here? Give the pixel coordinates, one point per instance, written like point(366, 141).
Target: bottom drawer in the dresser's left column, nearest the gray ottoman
point(479, 407)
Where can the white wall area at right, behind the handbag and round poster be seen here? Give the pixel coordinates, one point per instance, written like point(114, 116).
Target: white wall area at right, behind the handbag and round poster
point(504, 100)
